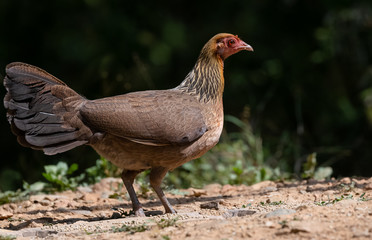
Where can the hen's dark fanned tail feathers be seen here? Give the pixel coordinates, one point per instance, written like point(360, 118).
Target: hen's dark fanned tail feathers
point(42, 110)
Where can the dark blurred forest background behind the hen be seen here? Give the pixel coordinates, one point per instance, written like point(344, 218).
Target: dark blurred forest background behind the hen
point(306, 89)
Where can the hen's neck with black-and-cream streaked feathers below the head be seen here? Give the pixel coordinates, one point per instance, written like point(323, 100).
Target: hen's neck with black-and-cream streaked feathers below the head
point(205, 80)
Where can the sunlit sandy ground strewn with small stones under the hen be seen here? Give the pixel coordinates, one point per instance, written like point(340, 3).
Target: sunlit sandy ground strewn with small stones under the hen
point(335, 209)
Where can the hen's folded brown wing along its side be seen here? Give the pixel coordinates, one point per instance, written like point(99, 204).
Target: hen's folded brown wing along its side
point(150, 117)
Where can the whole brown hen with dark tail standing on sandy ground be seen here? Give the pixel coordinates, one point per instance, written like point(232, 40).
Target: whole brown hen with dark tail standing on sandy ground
point(155, 129)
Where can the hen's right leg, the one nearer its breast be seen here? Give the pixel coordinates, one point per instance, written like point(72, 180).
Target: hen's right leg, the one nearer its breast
point(156, 176)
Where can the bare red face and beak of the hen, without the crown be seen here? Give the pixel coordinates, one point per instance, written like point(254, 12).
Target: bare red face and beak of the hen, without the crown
point(230, 45)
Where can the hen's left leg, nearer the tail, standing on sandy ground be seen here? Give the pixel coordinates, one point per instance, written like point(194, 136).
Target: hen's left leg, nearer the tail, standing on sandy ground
point(128, 179)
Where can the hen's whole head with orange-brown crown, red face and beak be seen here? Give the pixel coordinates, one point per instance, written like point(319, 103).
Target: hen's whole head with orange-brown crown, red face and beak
point(225, 45)
